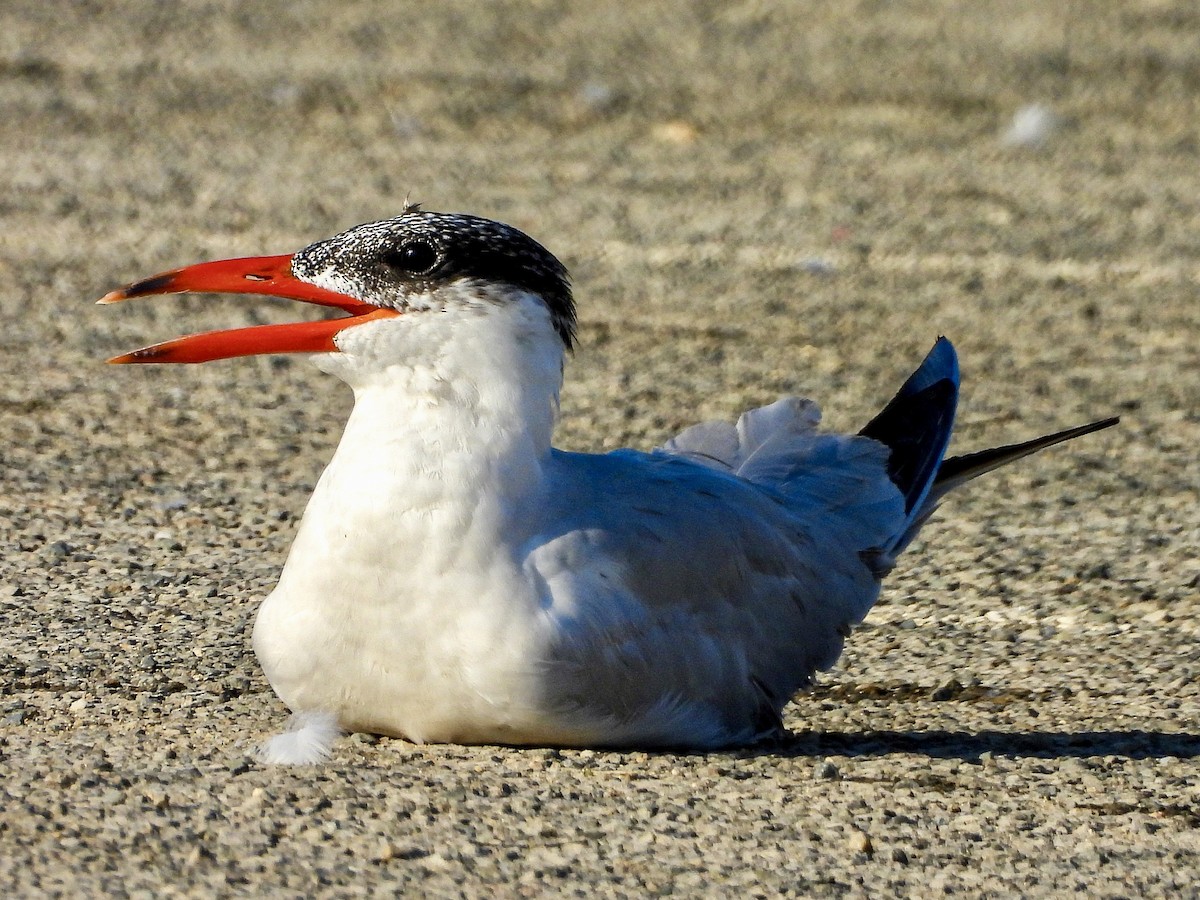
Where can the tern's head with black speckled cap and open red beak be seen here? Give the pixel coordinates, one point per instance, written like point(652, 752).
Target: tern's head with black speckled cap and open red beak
point(410, 268)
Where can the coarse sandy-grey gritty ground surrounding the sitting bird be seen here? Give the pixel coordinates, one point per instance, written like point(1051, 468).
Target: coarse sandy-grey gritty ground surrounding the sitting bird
point(755, 199)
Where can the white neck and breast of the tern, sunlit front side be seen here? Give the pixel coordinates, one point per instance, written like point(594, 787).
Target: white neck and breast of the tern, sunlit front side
point(404, 608)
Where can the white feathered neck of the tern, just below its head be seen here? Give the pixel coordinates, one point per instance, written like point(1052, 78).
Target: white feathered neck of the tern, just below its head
point(460, 425)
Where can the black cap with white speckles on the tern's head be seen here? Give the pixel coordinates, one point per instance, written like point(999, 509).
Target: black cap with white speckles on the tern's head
point(419, 253)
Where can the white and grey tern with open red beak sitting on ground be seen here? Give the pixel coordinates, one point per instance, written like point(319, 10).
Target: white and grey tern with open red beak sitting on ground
point(457, 579)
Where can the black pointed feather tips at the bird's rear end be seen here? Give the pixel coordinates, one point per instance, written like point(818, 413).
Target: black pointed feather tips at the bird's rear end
point(916, 428)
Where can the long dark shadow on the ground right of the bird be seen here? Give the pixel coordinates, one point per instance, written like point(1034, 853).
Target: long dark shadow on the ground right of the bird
point(971, 746)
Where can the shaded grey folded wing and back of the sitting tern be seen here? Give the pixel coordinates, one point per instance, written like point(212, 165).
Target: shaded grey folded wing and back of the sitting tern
point(691, 592)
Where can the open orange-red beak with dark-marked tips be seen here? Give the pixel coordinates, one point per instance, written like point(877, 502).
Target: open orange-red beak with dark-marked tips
point(253, 275)
